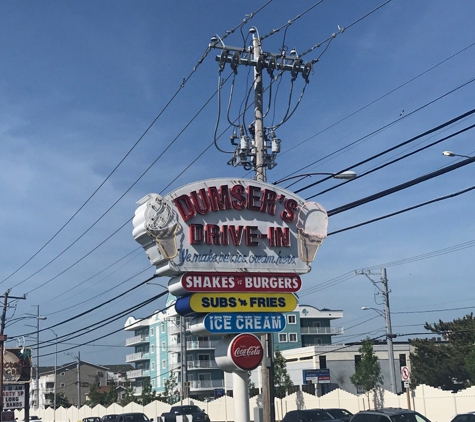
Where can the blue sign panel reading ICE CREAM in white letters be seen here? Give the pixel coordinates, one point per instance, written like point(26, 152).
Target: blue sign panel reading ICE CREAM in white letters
point(245, 322)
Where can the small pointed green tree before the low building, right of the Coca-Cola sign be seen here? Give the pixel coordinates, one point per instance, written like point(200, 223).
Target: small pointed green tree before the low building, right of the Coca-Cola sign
point(367, 376)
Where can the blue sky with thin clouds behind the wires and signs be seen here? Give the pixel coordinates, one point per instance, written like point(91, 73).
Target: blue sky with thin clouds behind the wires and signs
point(81, 81)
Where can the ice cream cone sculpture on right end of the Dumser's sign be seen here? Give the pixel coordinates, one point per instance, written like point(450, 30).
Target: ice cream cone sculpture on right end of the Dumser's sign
point(312, 224)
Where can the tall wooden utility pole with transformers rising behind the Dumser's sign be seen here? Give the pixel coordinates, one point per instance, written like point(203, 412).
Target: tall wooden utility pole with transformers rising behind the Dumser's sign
point(259, 154)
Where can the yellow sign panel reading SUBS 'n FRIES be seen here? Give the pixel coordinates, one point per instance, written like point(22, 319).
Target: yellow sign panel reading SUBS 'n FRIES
point(243, 302)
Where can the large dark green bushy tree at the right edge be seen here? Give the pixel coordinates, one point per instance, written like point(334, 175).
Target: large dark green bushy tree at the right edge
point(449, 365)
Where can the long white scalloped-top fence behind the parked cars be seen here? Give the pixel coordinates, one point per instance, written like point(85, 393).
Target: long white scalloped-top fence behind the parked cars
point(437, 405)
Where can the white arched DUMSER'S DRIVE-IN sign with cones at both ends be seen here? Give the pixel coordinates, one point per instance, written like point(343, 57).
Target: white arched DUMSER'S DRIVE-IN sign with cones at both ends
point(229, 225)
